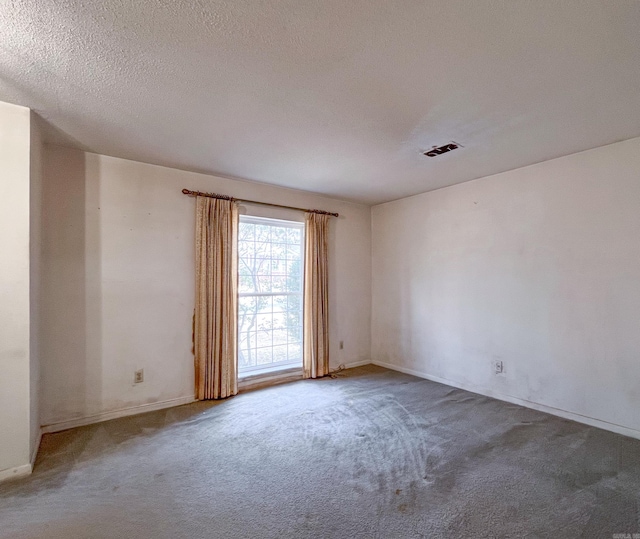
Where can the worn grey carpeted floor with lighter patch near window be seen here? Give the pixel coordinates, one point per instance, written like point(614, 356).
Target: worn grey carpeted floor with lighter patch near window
point(372, 454)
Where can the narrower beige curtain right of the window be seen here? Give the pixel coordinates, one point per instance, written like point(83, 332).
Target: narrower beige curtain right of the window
point(316, 297)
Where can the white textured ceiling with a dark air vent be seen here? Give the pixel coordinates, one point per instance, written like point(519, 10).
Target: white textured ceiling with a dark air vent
point(332, 96)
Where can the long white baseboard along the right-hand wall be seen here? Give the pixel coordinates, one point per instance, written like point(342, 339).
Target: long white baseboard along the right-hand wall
point(573, 416)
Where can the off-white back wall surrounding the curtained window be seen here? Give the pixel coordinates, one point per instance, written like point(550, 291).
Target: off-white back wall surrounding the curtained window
point(119, 282)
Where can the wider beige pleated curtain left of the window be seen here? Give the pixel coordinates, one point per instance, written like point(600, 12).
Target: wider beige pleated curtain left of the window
point(216, 298)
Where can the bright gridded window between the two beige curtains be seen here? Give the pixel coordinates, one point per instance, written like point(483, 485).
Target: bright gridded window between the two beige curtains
point(270, 280)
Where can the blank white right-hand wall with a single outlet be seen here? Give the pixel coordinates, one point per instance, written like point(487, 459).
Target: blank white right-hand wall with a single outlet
point(538, 267)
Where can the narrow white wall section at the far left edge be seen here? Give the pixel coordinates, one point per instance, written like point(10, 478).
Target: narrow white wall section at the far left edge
point(14, 290)
